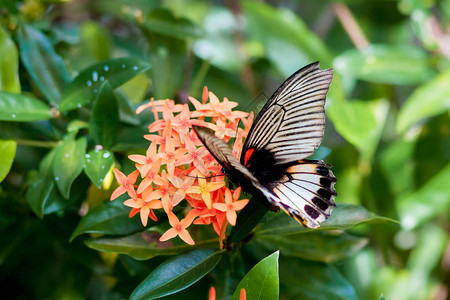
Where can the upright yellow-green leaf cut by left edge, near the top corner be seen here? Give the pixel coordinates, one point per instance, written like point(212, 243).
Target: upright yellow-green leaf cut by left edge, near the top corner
point(9, 62)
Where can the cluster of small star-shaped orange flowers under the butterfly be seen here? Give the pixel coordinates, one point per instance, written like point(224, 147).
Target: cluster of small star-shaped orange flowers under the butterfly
point(178, 167)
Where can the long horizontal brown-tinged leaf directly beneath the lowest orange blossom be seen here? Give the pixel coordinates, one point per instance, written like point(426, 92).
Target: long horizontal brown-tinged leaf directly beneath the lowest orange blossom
point(145, 245)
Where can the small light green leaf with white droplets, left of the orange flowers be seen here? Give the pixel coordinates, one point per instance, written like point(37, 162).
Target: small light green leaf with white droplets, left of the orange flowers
point(97, 163)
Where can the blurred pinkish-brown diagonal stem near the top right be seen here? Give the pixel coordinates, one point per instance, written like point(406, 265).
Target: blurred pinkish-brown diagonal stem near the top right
point(351, 27)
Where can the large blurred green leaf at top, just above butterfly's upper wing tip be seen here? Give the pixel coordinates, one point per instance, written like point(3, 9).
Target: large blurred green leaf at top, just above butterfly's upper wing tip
point(288, 42)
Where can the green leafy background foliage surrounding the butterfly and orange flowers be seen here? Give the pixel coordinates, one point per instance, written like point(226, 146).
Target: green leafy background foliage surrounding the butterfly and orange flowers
point(73, 72)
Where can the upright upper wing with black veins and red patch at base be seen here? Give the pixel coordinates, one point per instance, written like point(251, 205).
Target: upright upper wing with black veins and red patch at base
point(292, 123)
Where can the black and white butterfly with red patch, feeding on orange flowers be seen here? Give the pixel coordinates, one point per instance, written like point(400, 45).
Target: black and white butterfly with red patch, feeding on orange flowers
point(273, 167)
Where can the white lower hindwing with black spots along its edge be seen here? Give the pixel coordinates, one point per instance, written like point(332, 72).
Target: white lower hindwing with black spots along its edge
point(305, 192)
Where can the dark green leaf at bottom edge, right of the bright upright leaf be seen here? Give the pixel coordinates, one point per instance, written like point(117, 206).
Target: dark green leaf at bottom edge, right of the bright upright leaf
point(308, 280)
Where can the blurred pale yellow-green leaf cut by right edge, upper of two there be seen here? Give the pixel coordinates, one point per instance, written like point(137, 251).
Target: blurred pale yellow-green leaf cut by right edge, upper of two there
point(436, 92)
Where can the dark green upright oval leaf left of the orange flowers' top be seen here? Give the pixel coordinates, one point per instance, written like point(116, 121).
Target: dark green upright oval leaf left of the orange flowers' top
point(104, 121)
